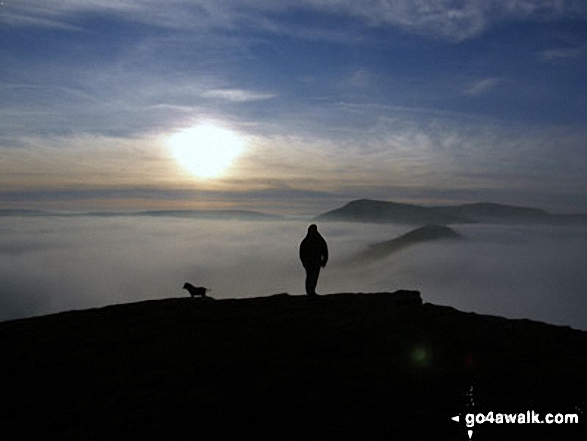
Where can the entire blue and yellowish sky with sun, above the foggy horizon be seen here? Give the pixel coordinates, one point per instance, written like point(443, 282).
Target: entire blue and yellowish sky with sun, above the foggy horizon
point(304, 105)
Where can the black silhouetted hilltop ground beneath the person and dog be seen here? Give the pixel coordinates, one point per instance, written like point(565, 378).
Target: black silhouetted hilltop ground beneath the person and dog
point(346, 366)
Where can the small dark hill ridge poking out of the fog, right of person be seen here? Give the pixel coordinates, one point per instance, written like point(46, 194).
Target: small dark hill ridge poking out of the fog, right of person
point(423, 234)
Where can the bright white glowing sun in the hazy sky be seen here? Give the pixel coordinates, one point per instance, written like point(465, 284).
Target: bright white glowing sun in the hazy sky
point(206, 150)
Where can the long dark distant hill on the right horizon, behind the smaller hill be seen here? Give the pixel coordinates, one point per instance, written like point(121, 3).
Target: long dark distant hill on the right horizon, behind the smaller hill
point(367, 210)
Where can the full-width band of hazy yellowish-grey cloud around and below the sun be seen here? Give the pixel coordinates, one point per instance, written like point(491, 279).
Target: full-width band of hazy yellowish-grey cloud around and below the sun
point(392, 158)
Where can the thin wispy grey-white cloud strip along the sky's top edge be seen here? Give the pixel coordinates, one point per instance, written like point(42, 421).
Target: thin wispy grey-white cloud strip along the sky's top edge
point(445, 19)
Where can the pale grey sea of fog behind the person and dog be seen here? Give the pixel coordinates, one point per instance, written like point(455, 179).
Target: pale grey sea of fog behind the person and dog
point(50, 264)
